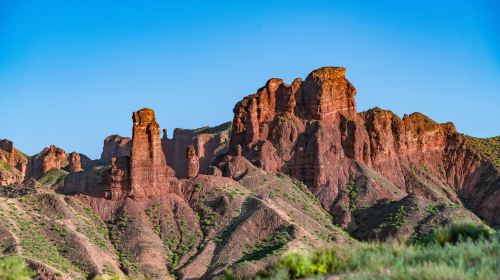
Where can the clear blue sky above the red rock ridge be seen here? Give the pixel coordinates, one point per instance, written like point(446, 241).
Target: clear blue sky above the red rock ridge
point(72, 72)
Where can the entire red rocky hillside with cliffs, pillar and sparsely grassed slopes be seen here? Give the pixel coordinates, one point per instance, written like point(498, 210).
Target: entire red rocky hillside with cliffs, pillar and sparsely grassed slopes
point(298, 168)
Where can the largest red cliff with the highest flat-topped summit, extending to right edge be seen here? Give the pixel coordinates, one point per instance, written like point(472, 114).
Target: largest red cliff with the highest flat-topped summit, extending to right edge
point(311, 130)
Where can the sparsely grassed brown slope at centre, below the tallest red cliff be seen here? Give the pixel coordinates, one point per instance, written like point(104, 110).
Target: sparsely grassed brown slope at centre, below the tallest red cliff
point(248, 224)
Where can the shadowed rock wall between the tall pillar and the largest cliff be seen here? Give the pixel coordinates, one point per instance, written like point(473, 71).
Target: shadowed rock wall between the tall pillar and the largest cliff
point(209, 142)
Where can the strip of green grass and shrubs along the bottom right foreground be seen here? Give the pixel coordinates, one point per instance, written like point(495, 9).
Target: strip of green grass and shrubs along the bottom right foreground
point(467, 259)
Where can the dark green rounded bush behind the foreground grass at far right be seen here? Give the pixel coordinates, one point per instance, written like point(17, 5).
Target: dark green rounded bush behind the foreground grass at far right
point(457, 232)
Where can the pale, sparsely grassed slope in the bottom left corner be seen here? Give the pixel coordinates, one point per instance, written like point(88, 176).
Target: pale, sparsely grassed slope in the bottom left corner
point(55, 232)
